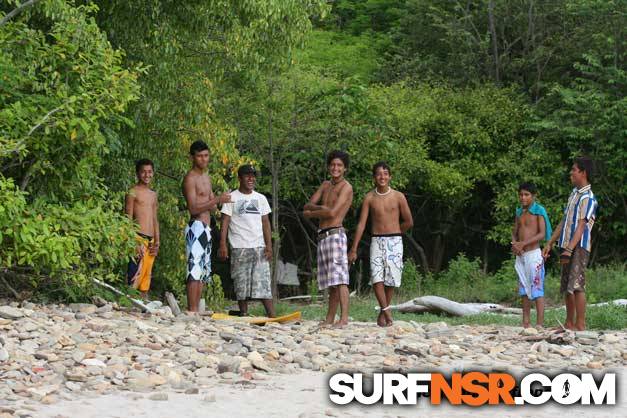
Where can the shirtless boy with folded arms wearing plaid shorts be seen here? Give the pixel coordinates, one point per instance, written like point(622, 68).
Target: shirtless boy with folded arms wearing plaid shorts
point(329, 204)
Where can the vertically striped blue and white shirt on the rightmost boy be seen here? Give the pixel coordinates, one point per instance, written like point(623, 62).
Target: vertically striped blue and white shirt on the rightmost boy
point(582, 207)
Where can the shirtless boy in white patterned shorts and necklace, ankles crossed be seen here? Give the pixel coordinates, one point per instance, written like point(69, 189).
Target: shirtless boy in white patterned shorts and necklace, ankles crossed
point(388, 207)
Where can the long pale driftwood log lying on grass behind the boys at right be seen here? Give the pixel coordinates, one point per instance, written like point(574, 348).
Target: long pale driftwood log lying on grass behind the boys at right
point(437, 304)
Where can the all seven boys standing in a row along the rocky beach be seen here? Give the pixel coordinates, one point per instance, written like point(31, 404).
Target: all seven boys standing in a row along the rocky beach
point(245, 237)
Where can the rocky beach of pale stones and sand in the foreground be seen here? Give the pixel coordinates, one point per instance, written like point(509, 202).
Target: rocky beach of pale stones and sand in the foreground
point(88, 360)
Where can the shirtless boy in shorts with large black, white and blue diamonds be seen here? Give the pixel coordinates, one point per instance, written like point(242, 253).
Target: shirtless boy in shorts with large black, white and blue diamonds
point(200, 201)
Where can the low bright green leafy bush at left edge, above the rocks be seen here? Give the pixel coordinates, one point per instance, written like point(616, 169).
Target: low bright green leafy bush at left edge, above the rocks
point(61, 247)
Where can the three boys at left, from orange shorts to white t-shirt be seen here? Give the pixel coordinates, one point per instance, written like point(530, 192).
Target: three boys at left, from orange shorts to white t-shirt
point(245, 226)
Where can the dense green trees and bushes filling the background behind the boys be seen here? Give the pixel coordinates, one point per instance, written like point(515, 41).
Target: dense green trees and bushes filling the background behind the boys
point(417, 83)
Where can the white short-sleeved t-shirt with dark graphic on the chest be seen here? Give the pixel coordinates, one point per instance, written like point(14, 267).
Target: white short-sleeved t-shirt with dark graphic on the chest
point(246, 210)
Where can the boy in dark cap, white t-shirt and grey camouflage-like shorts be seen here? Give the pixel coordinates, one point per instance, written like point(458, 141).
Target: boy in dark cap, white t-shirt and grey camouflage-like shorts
point(245, 222)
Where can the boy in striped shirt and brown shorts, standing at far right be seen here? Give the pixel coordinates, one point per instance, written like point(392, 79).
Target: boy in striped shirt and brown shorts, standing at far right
point(573, 237)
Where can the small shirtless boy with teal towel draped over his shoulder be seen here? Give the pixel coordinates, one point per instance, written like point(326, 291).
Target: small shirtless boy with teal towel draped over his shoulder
point(531, 226)
